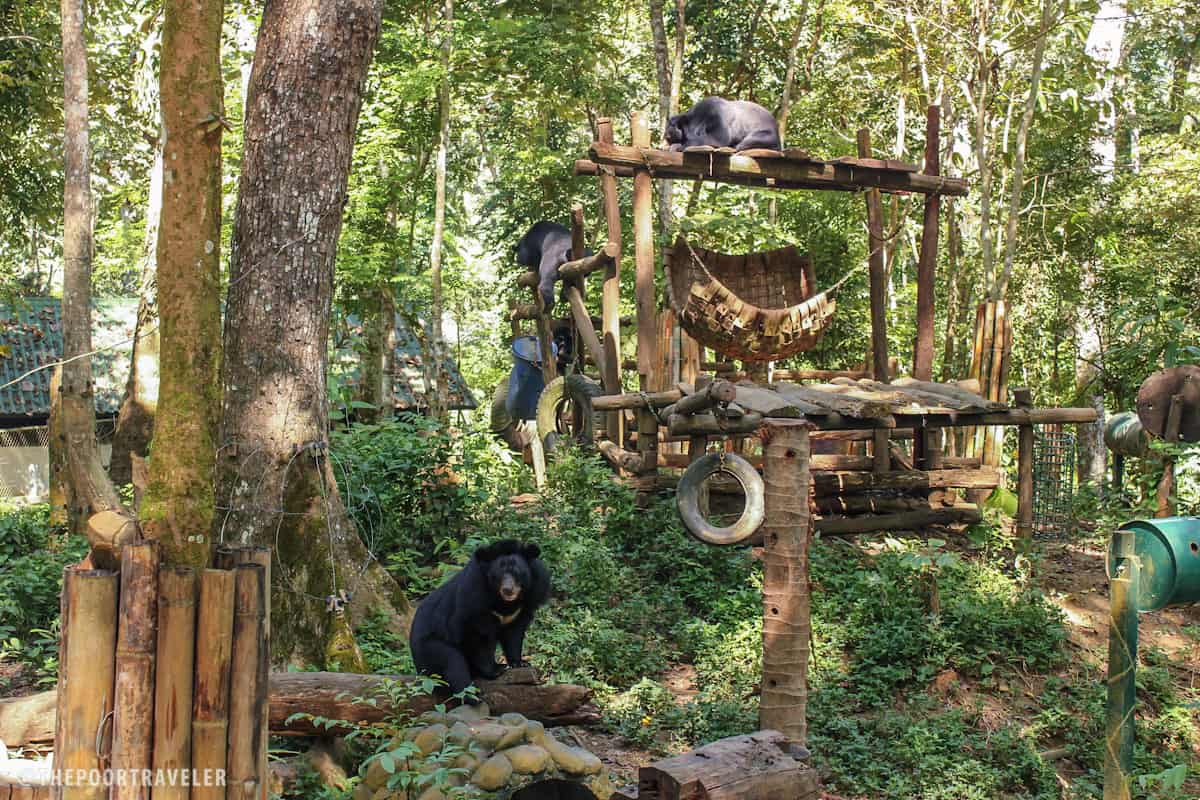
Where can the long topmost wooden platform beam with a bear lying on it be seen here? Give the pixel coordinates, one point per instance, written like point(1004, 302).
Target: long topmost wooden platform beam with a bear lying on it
point(781, 173)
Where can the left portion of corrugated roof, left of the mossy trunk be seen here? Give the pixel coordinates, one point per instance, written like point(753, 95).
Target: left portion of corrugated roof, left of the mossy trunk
point(32, 338)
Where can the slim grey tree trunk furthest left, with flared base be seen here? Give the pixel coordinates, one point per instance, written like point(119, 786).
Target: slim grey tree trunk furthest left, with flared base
point(88, 489)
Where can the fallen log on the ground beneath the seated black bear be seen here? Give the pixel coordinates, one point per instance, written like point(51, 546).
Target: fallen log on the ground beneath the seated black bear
point(29, 721)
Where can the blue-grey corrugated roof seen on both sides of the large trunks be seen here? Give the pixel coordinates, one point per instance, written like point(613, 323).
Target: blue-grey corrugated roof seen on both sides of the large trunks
point(32, 338)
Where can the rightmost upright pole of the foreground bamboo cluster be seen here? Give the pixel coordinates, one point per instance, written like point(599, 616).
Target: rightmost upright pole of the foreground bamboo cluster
point(249, 676)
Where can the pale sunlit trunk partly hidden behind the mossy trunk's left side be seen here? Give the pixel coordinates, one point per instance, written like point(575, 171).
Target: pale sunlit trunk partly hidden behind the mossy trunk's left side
point(135, 422)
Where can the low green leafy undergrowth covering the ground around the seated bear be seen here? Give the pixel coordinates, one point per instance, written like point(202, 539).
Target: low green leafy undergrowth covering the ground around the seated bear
point(905, 701)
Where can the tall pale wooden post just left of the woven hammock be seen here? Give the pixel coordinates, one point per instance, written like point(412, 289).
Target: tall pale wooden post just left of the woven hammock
point(645, 297)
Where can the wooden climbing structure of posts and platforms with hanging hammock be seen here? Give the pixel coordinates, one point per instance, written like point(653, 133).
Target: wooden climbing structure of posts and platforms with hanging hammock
point(843, 452)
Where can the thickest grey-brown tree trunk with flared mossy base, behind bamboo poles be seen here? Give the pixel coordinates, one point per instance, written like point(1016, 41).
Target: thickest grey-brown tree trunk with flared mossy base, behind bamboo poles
point(303, 106)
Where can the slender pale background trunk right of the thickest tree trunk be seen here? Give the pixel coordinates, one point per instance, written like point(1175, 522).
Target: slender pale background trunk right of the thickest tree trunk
point(441, 398)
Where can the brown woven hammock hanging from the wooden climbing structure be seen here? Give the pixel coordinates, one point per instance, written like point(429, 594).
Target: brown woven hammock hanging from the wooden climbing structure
point(755, 308)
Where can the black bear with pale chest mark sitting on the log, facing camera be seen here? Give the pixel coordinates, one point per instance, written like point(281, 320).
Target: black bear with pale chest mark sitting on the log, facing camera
point(493, 600)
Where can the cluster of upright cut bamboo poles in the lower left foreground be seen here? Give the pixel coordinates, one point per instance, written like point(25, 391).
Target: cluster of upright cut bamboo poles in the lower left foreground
point(160, 683)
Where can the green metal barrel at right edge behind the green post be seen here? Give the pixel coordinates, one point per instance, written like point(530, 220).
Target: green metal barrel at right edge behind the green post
point(1169, 555)
